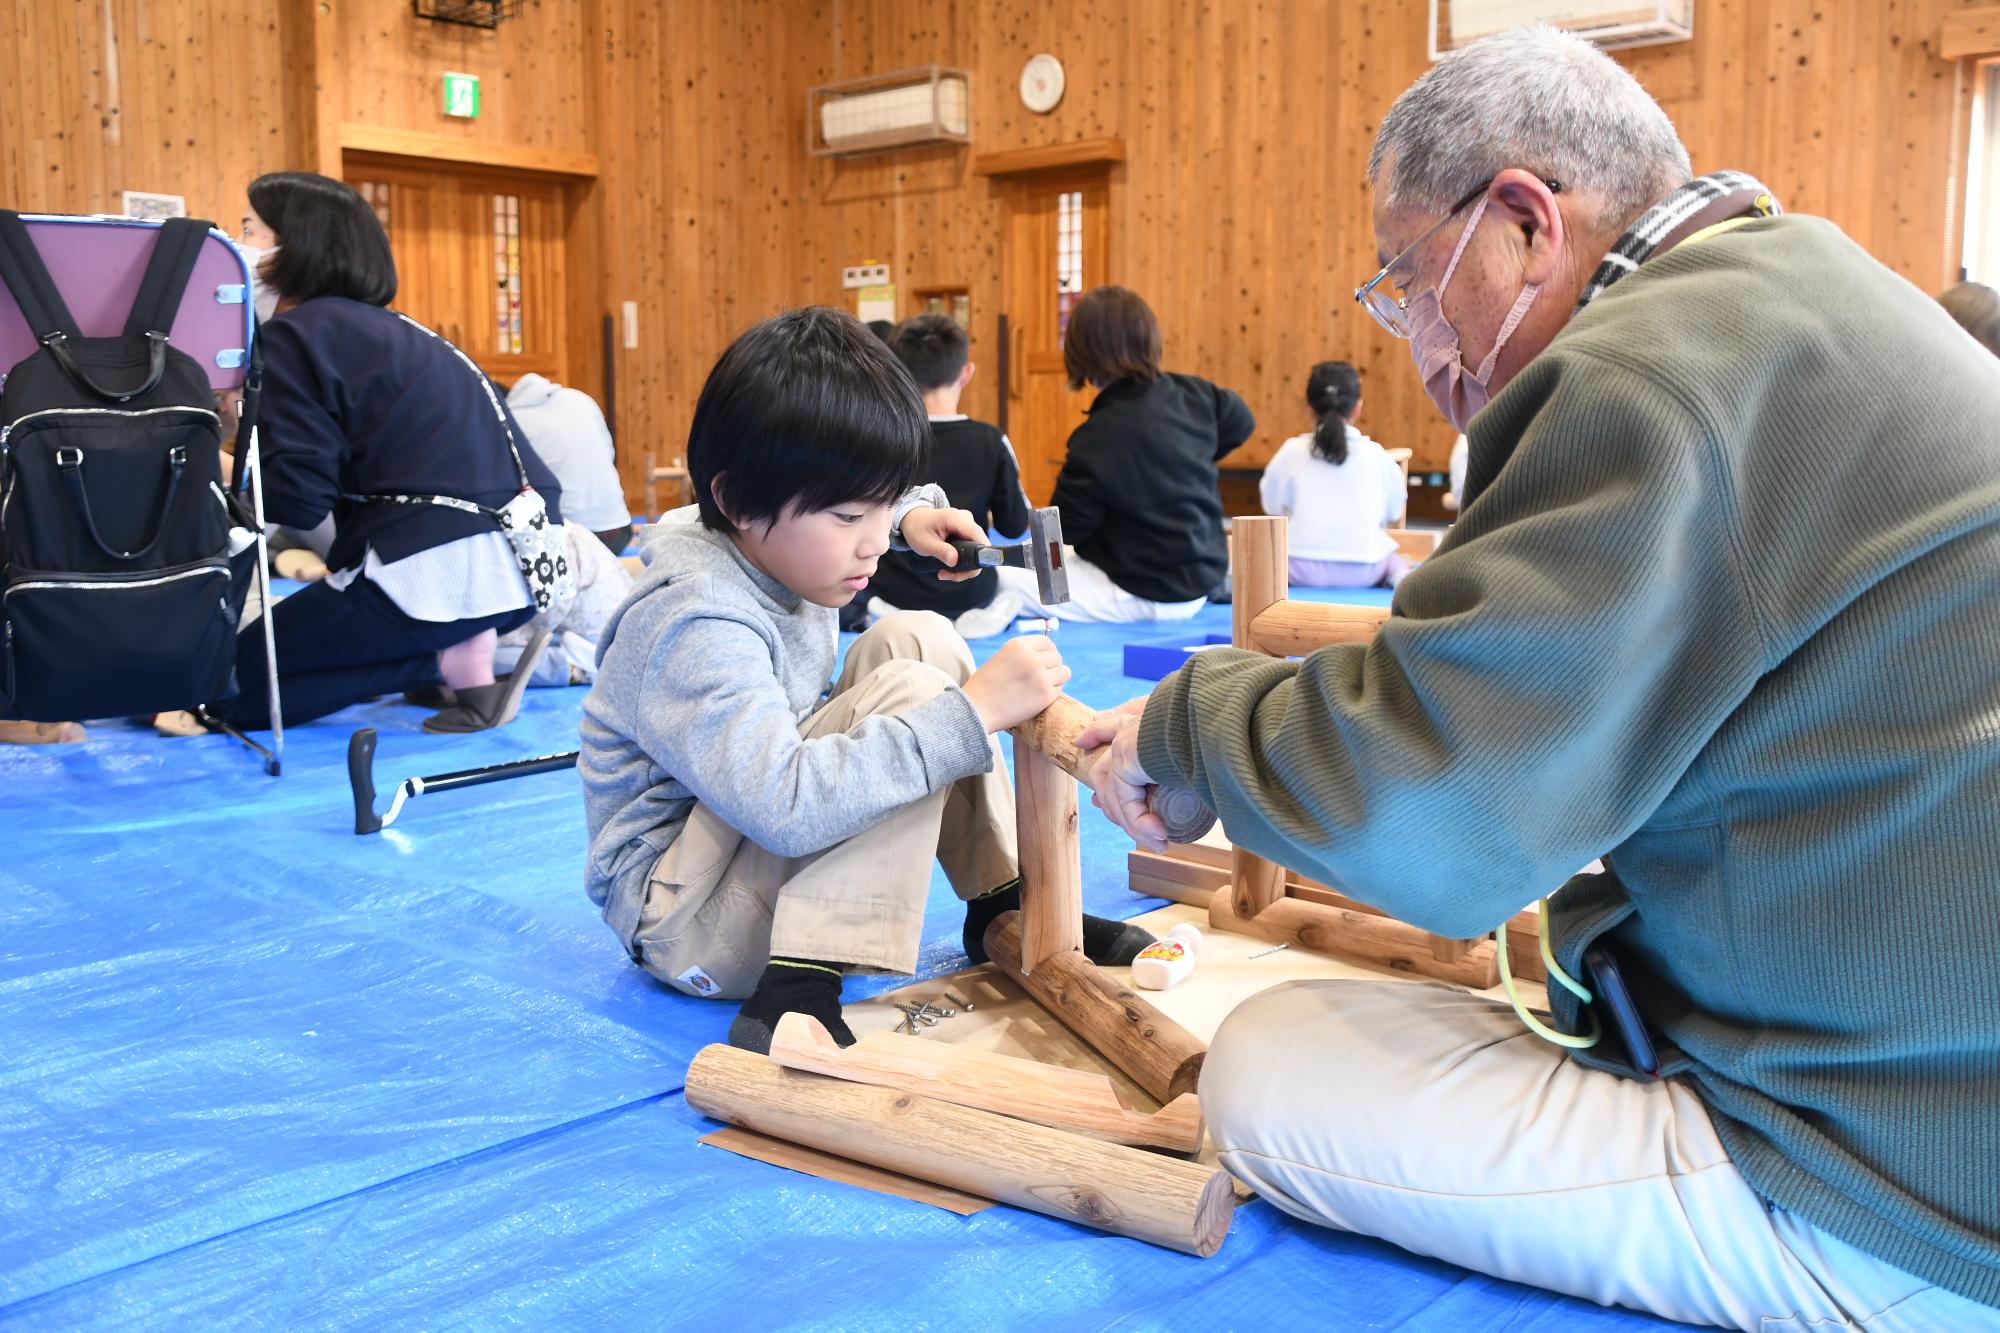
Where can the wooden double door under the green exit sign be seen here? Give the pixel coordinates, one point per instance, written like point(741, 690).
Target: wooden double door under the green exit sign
point(479, 257)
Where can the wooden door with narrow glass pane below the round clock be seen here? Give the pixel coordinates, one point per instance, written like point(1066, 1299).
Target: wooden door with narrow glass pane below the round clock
point(1055, 233)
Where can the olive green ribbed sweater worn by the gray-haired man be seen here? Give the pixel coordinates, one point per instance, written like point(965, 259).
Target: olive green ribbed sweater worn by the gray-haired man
point(1725, 609)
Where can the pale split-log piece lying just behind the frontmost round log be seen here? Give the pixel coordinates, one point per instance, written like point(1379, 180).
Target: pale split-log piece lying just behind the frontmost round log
point(1077, 1100)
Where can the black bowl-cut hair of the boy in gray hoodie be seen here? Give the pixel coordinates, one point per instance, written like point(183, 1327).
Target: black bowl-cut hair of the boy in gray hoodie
point(805, 411)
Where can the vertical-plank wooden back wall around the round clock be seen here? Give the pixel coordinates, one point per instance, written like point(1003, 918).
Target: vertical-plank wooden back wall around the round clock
point(1241, 211)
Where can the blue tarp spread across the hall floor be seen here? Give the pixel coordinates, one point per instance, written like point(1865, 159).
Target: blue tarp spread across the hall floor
point(265, 1074)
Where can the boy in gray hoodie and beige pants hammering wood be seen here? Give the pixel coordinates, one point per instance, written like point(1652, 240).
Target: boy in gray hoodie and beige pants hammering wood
point(751, 834)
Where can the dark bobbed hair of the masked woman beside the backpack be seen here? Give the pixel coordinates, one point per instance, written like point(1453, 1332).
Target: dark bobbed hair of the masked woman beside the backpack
point(329, 239)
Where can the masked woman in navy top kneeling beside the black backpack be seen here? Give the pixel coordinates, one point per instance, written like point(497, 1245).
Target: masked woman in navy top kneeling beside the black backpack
point(389, 447)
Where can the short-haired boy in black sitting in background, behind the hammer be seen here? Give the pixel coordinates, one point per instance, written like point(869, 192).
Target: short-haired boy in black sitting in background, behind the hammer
point(975, 465)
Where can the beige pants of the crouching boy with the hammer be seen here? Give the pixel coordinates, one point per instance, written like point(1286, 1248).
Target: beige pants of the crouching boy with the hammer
point(719, 906)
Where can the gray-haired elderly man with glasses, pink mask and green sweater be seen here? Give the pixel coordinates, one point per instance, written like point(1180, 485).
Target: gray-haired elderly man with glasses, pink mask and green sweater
point(1701, 617)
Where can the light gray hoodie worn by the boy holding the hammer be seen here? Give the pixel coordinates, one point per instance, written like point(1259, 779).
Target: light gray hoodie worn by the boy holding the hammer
point(705, 676)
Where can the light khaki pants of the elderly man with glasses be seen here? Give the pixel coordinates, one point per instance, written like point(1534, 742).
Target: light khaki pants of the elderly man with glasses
point(1435, 1120)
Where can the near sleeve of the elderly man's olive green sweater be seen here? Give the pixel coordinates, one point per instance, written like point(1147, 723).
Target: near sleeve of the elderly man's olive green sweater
point(1545, 682)
